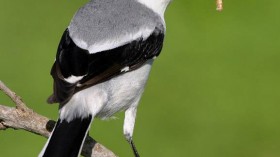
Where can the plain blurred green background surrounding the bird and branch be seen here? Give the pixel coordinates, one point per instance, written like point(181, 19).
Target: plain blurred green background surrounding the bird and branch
point(213, 92)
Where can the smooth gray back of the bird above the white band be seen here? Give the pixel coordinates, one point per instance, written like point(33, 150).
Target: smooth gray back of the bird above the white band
point(103, 20)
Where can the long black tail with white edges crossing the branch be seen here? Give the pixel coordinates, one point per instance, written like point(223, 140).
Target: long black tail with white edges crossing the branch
point(67, 138)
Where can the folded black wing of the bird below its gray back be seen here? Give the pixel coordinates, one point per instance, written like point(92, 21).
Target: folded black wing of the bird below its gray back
point(98, 67)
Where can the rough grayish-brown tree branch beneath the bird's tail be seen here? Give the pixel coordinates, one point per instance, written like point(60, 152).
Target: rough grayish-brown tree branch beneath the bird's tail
point(22, 117)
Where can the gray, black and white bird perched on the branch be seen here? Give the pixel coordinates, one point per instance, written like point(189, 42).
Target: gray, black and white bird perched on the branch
point(102, 65)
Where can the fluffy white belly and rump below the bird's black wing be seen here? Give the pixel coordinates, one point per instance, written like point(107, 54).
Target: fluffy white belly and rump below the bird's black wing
point(107, 98)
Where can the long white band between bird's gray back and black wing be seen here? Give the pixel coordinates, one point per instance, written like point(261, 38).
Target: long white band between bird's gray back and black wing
point(114, 42)
